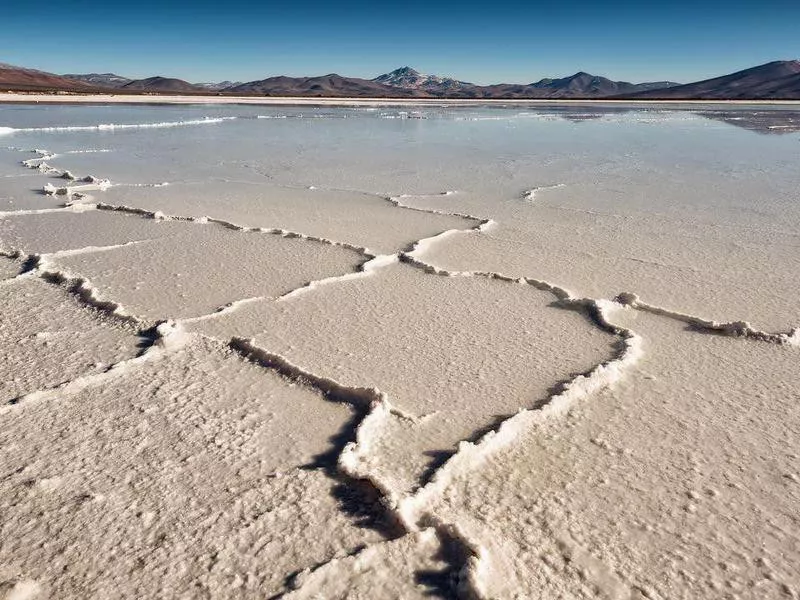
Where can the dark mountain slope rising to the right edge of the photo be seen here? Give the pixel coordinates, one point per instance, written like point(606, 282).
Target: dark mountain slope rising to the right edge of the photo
point(778, 80)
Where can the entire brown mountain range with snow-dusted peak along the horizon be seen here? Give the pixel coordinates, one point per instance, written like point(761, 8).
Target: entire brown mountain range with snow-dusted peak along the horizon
point(774, 80)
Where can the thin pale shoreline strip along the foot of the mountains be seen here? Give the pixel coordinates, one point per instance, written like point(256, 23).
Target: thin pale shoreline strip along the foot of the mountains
point(39, 98)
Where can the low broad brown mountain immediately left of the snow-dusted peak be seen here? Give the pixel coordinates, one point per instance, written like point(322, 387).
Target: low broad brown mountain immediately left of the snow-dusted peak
point(323, 86)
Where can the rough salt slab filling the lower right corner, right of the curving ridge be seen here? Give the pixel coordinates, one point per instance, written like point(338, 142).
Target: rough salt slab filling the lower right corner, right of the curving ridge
point(680, 482)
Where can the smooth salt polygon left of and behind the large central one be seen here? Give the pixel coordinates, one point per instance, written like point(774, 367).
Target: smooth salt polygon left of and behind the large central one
point(209, 267)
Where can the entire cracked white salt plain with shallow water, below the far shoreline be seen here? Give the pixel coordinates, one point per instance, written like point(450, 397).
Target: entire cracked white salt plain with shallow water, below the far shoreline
point(462, 352)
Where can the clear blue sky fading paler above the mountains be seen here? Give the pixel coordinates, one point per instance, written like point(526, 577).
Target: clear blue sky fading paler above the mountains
point(490, 42)
